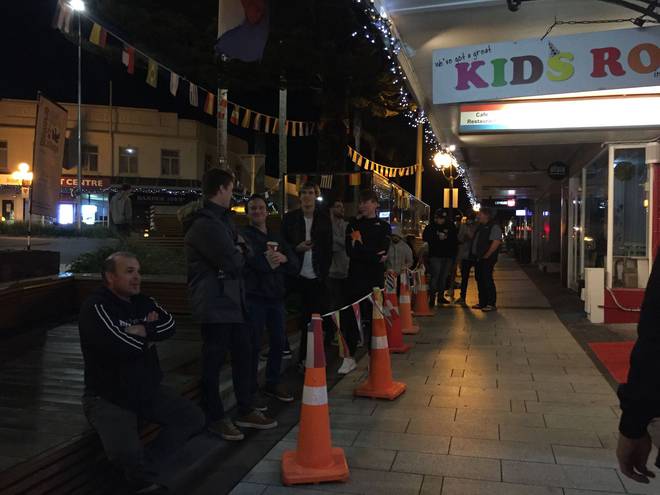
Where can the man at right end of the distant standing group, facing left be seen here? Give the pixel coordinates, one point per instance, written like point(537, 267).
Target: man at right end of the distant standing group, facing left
point(485, 249)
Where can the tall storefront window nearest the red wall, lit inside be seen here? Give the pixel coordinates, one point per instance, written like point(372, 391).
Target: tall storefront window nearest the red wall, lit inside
point(630, 251)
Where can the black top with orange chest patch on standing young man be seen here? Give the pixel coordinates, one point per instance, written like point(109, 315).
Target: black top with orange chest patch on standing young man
point(365, 238)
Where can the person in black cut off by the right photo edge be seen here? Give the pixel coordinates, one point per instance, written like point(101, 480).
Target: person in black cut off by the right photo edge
point(640, 395)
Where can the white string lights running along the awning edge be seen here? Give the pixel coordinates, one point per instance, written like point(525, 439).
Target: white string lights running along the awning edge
point(413, 113)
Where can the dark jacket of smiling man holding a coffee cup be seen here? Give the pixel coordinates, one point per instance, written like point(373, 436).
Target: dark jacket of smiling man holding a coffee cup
point(260, 279)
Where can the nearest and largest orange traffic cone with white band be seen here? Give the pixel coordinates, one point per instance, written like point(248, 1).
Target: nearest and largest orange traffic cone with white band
point(314, 460)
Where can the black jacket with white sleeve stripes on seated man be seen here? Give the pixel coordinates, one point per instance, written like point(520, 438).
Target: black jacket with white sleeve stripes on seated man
point(119, 367)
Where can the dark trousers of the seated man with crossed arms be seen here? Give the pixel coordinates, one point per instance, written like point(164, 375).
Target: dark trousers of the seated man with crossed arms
point(118, 429)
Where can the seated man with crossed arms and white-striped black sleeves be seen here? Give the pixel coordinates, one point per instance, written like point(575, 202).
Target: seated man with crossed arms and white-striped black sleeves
point(118, 328)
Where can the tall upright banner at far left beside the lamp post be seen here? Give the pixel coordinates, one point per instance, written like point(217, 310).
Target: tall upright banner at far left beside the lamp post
point(49, 135)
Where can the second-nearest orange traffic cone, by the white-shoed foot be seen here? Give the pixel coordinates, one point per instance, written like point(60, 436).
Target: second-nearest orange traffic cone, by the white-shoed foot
point(379, 385)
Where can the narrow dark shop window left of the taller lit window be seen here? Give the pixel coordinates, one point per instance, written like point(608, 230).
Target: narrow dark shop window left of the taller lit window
point(595, 213)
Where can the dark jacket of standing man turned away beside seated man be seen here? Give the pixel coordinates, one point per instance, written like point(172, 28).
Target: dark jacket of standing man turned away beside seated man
point(215, 260)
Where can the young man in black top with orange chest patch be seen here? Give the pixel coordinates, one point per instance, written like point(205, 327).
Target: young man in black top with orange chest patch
point(367, 243)
